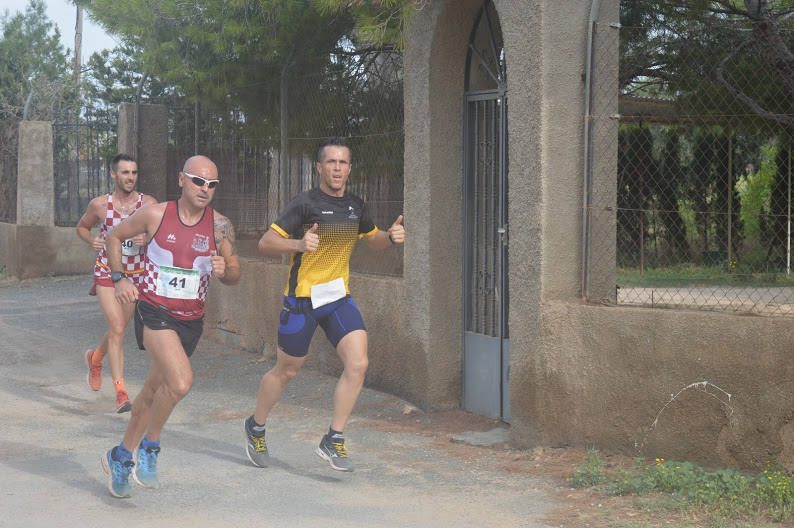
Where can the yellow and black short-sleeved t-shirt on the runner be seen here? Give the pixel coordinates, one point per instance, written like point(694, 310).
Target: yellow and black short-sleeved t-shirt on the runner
point(341, 221)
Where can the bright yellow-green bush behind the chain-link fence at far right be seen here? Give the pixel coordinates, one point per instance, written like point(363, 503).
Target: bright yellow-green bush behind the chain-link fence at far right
point(755, 192)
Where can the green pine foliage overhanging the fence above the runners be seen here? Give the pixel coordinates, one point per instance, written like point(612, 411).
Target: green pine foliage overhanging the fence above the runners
point(224, 54)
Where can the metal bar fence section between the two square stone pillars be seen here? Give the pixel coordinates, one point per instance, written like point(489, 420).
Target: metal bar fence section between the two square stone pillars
point(82, 150)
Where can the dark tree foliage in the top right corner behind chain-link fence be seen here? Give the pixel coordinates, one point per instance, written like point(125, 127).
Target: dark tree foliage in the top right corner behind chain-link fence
point(673, 50)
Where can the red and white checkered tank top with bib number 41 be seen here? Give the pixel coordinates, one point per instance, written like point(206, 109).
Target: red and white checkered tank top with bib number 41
point(177, 266)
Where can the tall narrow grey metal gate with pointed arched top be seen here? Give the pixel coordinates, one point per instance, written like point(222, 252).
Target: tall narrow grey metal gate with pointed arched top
point(486, 345)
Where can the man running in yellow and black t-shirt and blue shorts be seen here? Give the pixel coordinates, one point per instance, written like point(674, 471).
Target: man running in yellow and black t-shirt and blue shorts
point(320, 228)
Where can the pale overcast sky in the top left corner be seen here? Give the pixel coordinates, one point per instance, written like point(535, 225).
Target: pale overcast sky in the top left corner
point(62, 12)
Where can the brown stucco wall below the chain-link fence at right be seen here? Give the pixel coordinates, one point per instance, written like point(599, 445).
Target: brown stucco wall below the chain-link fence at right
point(606, 374)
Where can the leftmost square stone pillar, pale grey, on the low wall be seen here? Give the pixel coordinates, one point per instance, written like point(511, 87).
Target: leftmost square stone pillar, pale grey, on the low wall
point(35, 175)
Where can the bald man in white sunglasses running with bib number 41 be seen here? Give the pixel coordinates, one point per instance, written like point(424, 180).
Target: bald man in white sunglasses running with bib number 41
point(189, 242)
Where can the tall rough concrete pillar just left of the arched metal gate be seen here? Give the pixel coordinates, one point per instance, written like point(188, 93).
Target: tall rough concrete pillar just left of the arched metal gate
point(435, 59)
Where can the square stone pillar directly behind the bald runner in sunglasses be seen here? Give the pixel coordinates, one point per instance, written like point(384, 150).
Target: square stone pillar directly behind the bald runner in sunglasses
point(149, 145)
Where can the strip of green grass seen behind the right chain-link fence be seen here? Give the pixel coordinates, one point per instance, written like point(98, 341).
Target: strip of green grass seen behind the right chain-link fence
point(685, 275)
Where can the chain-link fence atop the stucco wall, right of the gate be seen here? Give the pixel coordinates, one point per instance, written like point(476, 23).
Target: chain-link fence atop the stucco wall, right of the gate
point(700, 206)
